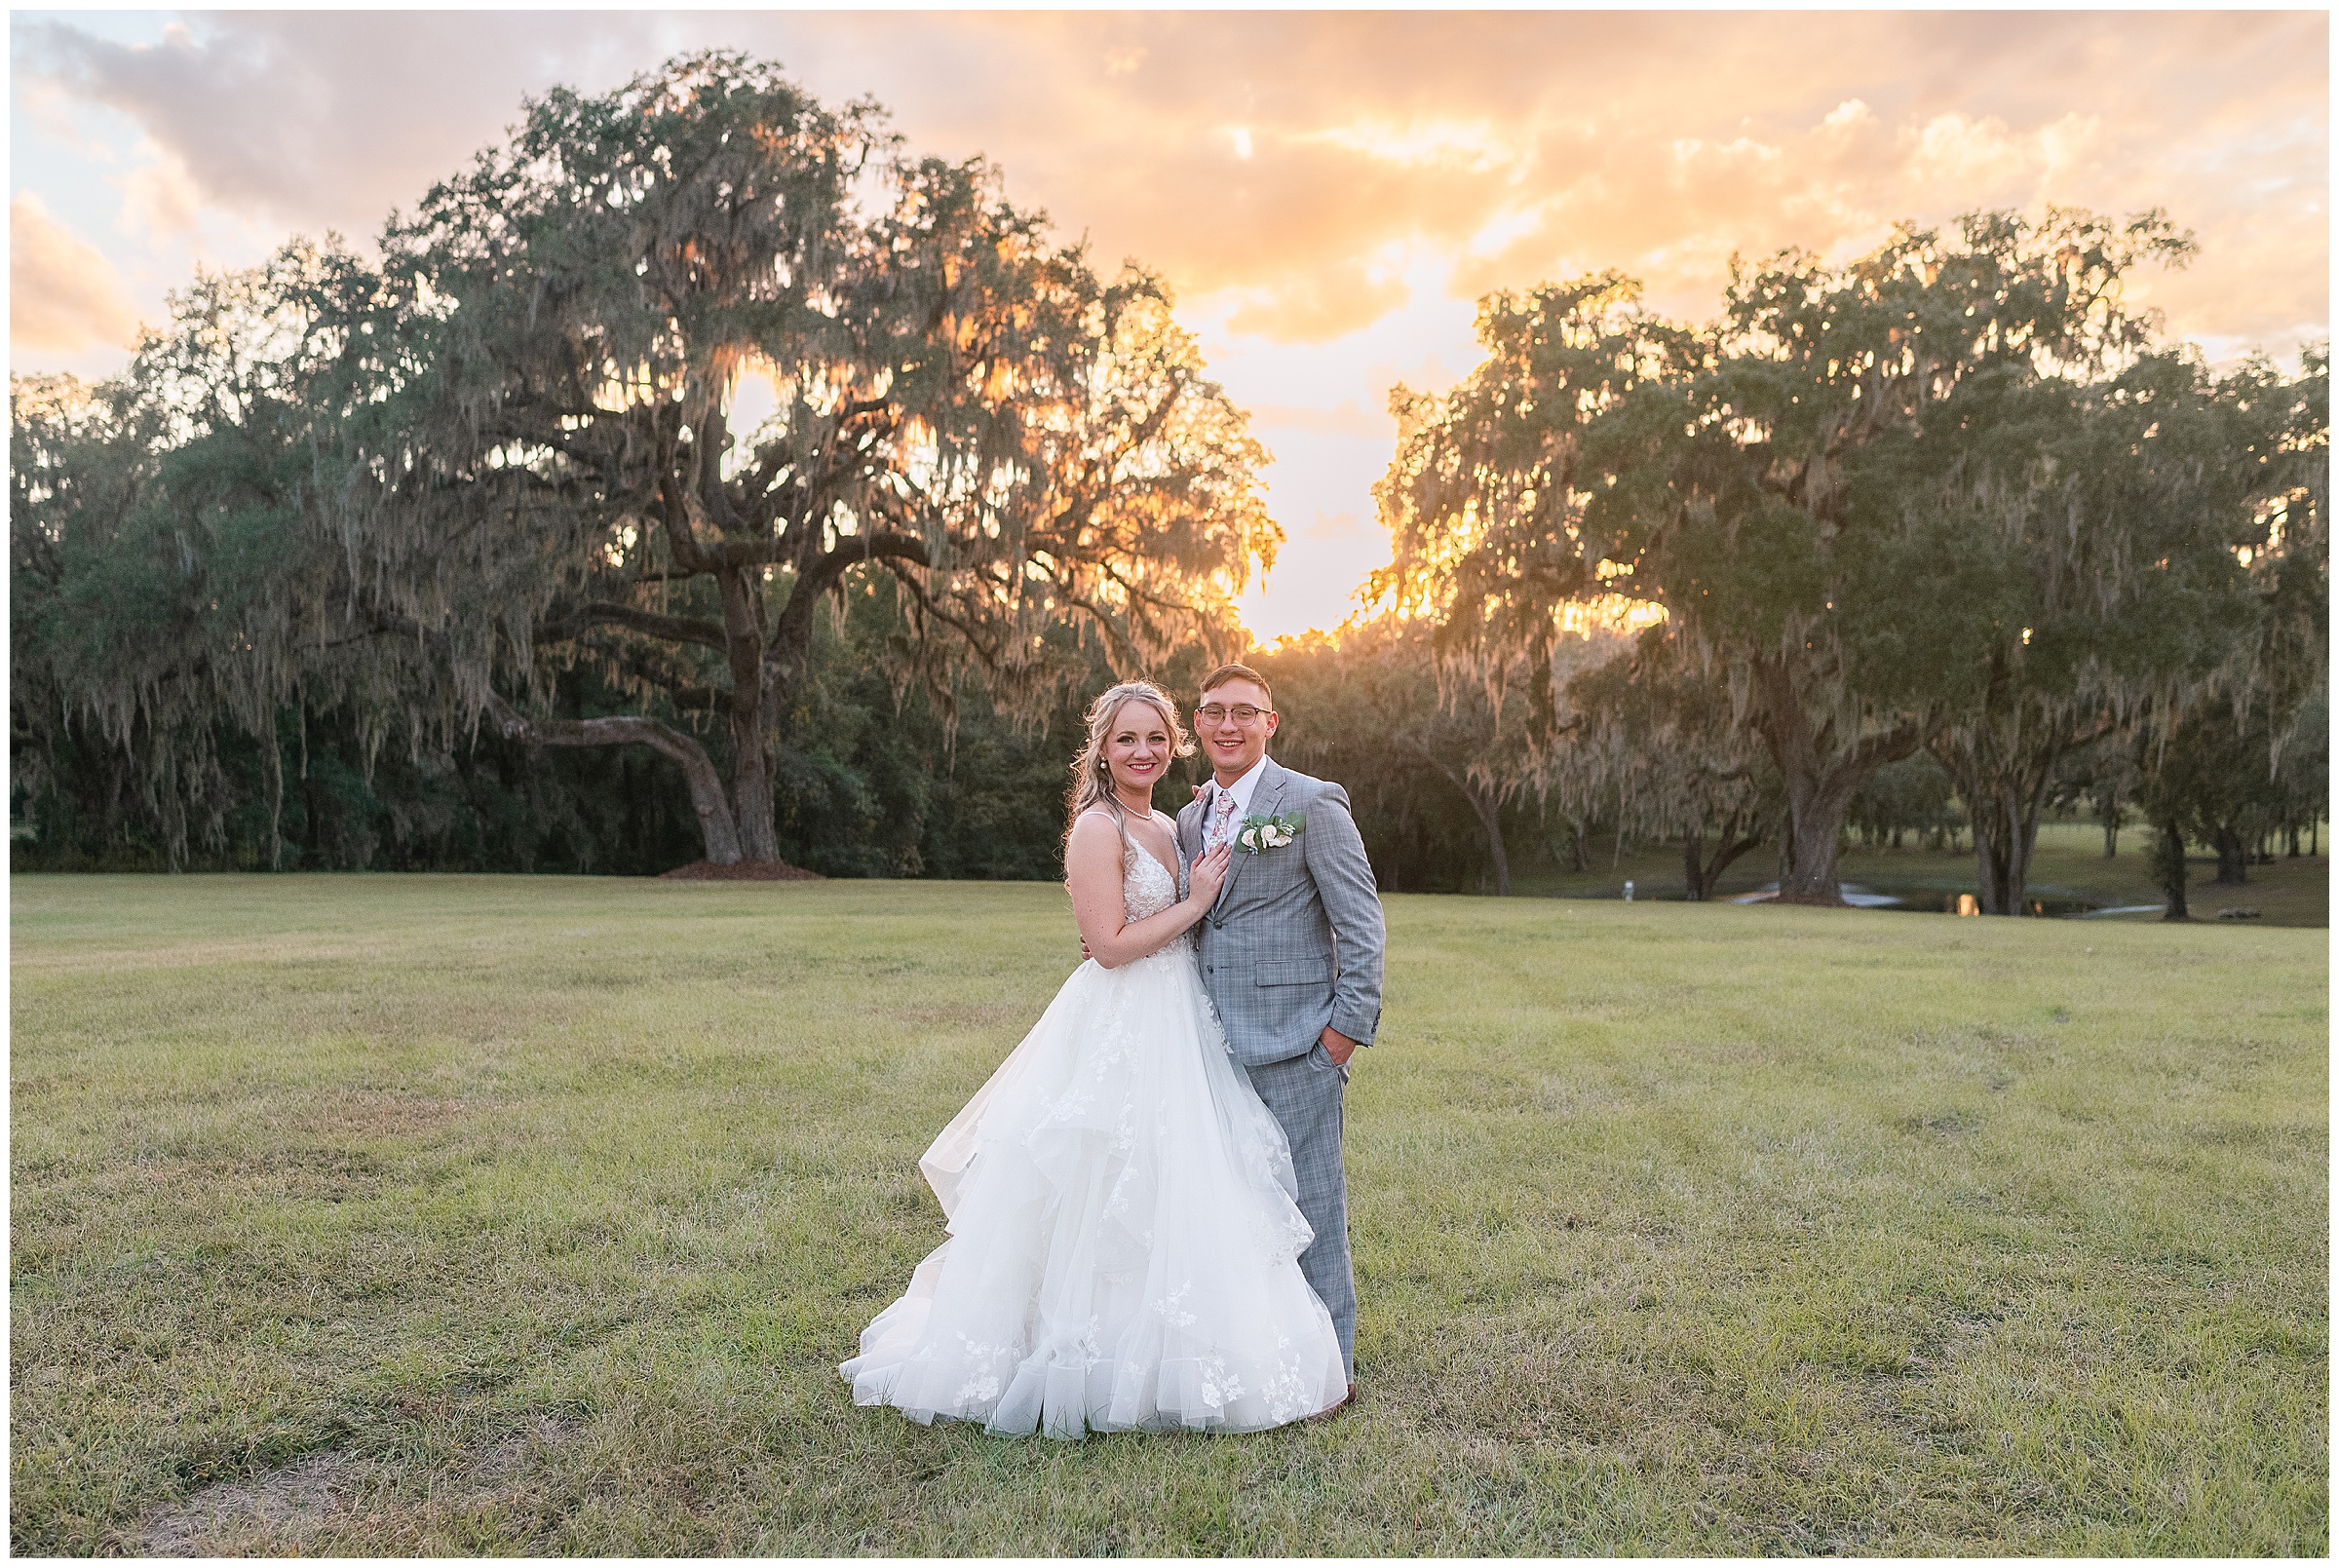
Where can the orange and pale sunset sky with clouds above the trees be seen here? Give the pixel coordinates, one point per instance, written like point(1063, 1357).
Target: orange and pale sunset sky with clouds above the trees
point(1330, 193)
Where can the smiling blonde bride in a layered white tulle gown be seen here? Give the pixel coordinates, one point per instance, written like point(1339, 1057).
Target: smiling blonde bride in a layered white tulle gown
point(1122, 1209)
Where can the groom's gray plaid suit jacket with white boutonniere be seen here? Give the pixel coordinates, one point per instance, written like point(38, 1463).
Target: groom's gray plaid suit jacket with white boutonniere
point(1295, 937)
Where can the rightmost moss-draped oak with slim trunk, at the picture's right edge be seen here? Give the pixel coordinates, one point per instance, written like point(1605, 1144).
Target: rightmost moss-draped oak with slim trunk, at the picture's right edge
point(2125, 516)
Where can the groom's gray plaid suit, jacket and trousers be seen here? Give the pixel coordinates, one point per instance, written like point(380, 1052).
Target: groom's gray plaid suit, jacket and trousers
point(1290, 947)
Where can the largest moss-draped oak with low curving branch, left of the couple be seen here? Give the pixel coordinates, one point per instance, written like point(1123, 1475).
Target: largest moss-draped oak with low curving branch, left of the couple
point(537, 458)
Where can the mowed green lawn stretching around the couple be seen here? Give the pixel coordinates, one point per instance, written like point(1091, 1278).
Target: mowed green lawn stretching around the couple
point(497, 1213)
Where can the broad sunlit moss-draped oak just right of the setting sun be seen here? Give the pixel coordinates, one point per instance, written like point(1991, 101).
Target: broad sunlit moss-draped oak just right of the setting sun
point(1812, 495)
